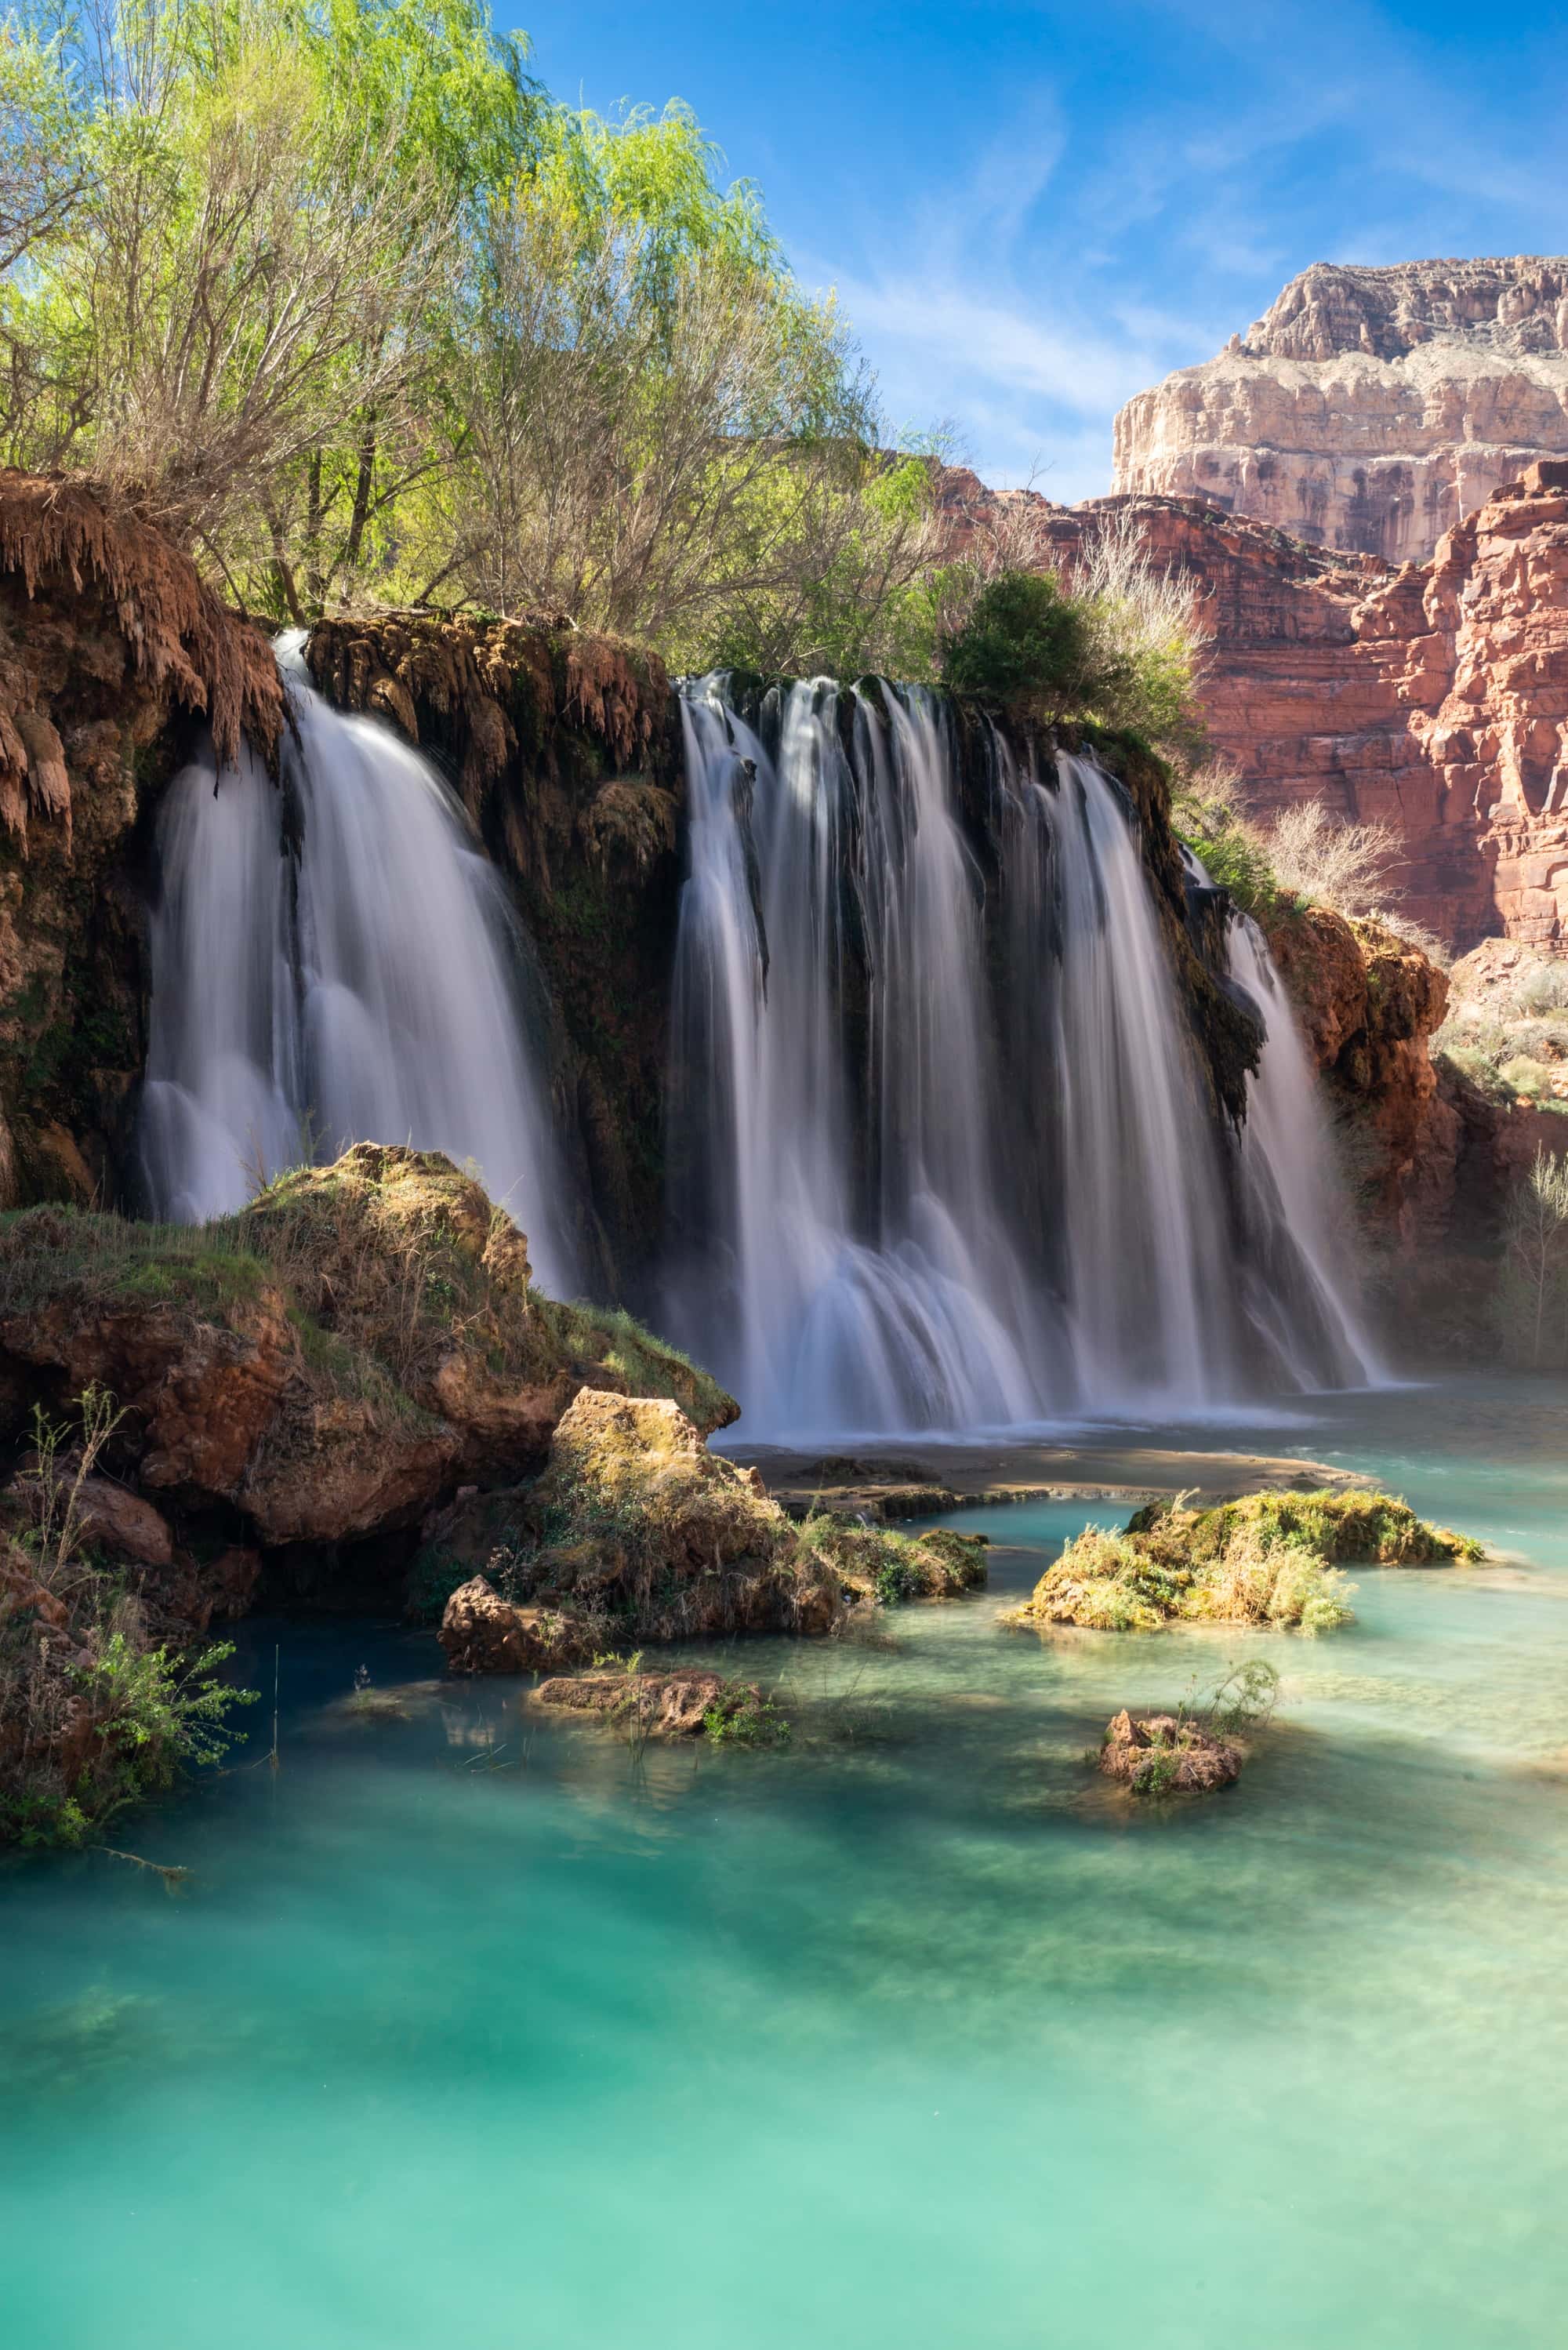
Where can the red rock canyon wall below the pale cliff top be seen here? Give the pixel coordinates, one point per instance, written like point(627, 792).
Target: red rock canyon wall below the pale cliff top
point(1428, 697)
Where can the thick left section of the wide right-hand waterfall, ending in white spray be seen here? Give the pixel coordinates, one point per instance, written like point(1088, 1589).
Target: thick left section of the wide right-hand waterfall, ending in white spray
point(864, 1273)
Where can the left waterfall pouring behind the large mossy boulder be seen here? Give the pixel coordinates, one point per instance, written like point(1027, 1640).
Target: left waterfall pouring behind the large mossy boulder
point(335, 960)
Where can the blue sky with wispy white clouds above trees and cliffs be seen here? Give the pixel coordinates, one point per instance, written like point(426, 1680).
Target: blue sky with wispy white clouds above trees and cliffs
point(1036, 210)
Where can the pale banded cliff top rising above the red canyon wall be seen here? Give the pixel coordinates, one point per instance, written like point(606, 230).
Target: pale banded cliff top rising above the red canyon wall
point(1372, 408)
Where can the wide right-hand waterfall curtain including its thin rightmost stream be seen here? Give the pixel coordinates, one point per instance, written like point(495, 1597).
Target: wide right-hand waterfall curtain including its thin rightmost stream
point(939, 1169)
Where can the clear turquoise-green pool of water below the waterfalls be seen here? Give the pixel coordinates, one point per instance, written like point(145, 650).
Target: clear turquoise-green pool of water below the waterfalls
point(918, 2036)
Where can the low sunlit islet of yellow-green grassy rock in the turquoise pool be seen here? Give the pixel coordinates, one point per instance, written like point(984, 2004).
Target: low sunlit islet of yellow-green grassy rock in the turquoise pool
point(1268, 1559)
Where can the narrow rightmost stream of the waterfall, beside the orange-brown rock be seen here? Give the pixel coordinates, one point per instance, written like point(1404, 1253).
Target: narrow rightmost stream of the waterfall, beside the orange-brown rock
point(1299, 1291)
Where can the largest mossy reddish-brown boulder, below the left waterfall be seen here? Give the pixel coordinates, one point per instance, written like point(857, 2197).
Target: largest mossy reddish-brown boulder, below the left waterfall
point(333, 1362)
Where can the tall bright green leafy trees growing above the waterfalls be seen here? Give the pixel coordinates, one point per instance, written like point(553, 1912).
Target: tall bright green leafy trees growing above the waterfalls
point(340, 297)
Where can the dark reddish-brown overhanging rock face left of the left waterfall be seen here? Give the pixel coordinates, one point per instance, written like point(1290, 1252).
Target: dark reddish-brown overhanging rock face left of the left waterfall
point(112, 652)
